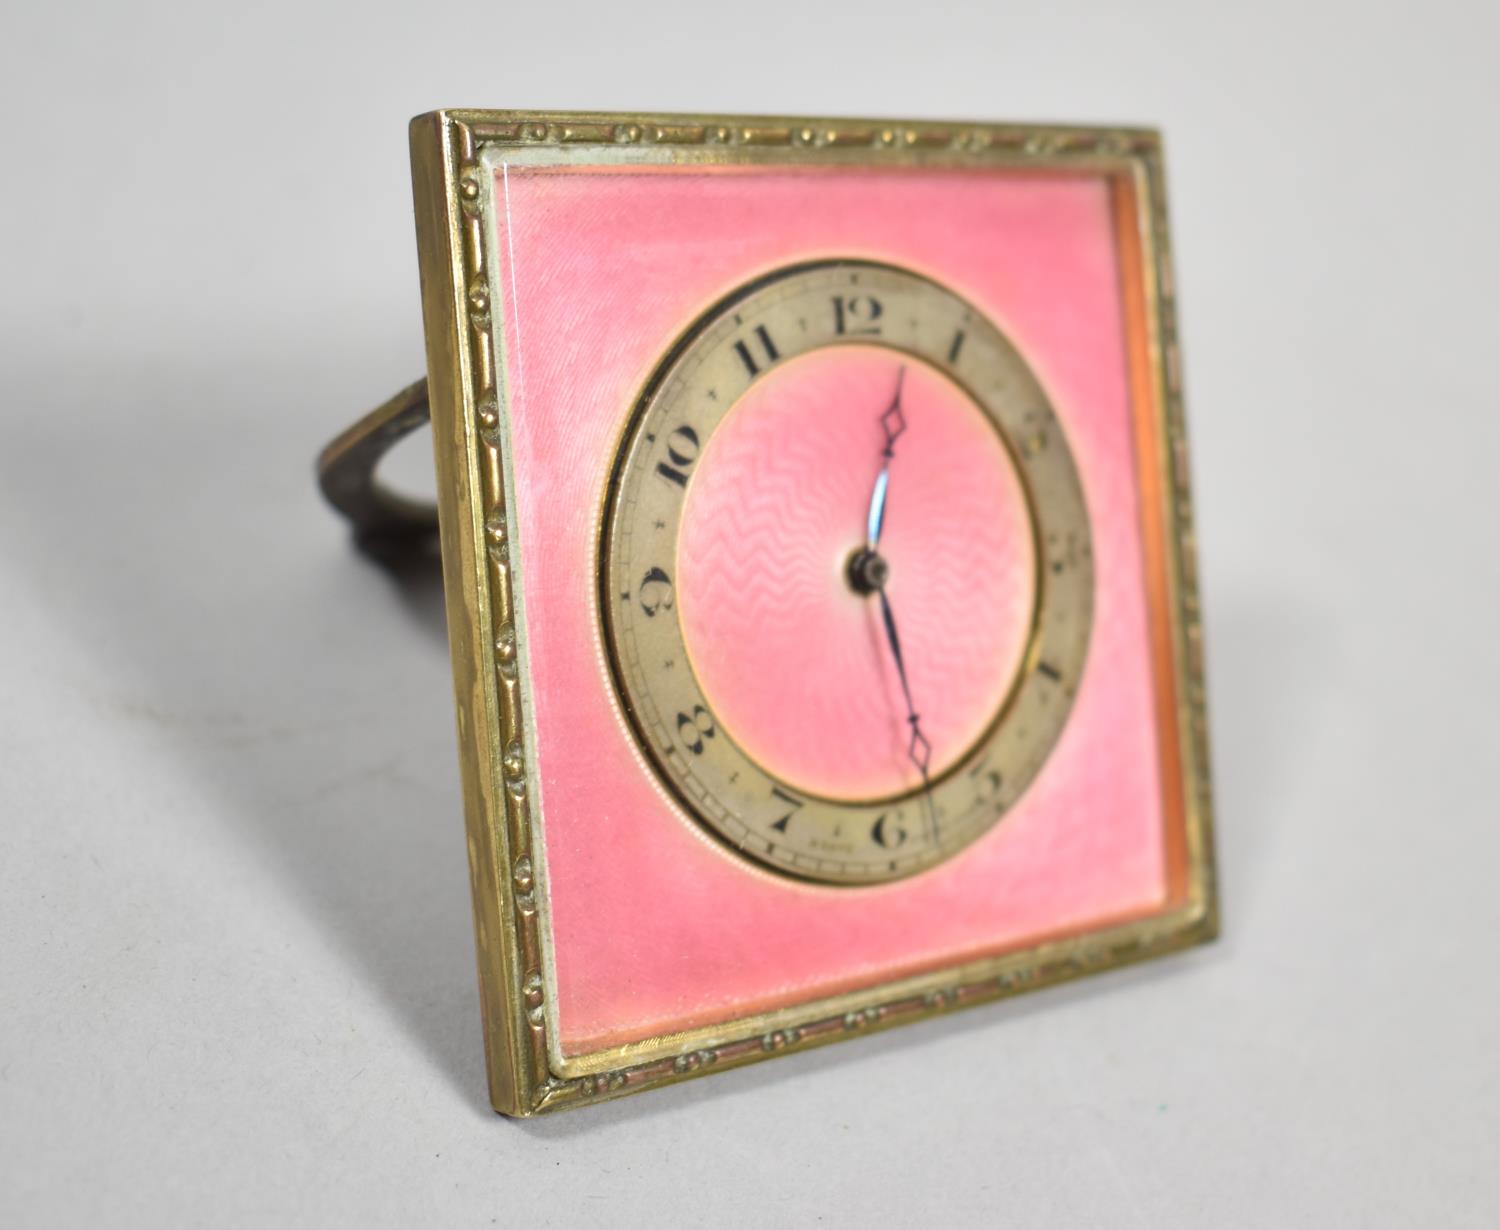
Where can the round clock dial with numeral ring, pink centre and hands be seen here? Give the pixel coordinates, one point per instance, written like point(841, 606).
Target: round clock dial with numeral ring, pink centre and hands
point(847, 578)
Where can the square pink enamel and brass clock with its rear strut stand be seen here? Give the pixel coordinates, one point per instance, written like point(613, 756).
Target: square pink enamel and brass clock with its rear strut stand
point(820, 575)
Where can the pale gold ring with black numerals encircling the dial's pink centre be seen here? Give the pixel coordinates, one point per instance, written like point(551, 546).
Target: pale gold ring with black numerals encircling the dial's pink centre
point(749, 797)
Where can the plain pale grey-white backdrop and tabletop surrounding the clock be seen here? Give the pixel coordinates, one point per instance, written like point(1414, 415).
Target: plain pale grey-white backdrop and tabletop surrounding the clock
point(236, 965)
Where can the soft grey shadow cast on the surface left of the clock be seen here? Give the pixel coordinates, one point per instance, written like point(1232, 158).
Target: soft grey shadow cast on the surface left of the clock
point(220, 613)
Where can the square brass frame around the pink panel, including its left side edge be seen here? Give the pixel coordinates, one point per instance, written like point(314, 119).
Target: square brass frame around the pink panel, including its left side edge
point(452, 158)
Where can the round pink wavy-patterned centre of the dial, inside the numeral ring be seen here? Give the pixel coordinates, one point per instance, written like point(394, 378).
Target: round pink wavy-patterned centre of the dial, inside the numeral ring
point(793, 661)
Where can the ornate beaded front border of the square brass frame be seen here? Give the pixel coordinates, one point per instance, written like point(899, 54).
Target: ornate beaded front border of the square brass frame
point(521, 968)
